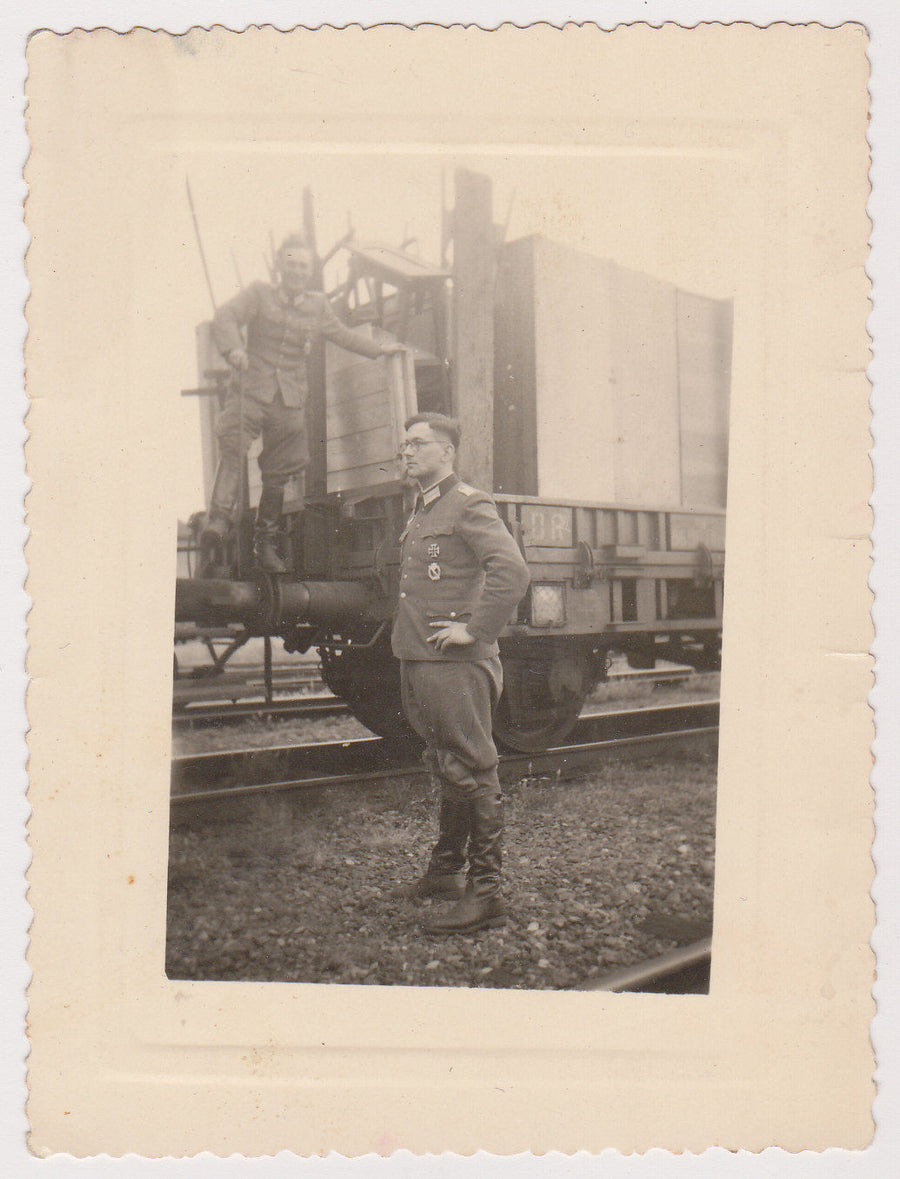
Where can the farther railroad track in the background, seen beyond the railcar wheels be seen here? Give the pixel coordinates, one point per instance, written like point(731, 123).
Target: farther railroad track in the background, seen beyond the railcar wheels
point(235, 696)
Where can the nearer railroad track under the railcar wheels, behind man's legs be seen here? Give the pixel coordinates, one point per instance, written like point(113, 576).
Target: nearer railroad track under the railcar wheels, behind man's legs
point(216, 778)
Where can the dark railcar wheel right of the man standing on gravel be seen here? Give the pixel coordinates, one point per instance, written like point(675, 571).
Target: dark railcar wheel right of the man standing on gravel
point(544, 693)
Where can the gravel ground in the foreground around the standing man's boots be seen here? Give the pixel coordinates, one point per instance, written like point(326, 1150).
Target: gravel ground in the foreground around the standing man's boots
point(601, 872)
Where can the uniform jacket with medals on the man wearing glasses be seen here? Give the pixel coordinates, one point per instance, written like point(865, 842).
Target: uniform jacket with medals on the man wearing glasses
point(458, 563)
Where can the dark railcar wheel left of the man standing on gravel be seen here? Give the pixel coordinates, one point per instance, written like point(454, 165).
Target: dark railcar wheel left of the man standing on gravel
point(369, 683)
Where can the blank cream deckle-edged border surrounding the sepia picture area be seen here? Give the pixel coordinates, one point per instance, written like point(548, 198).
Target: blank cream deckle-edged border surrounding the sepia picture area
point(761, 133)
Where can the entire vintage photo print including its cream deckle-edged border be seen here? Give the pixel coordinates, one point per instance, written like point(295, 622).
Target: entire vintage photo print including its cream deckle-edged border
point(449, 516)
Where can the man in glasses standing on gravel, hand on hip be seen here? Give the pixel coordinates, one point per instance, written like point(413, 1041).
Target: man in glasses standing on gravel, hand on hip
point(462, 577)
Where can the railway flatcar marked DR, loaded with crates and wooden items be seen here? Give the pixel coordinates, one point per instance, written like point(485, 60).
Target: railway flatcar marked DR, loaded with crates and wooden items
point(594, 404)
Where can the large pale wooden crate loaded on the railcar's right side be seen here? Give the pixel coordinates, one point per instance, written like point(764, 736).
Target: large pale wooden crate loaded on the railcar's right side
point(609, 385)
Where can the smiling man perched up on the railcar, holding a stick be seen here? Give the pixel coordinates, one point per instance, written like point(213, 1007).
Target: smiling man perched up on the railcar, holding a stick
point(271, 392)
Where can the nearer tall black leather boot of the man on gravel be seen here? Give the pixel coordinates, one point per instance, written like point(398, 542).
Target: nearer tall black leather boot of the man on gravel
point(482, 907)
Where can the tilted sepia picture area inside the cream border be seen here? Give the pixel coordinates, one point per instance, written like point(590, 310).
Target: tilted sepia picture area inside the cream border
point(449, 609)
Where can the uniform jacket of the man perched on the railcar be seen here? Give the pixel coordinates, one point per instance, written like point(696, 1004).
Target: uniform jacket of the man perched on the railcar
point(280, 332)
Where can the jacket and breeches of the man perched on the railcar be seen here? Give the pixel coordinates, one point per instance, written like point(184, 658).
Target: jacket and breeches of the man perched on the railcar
point(271, 397)
